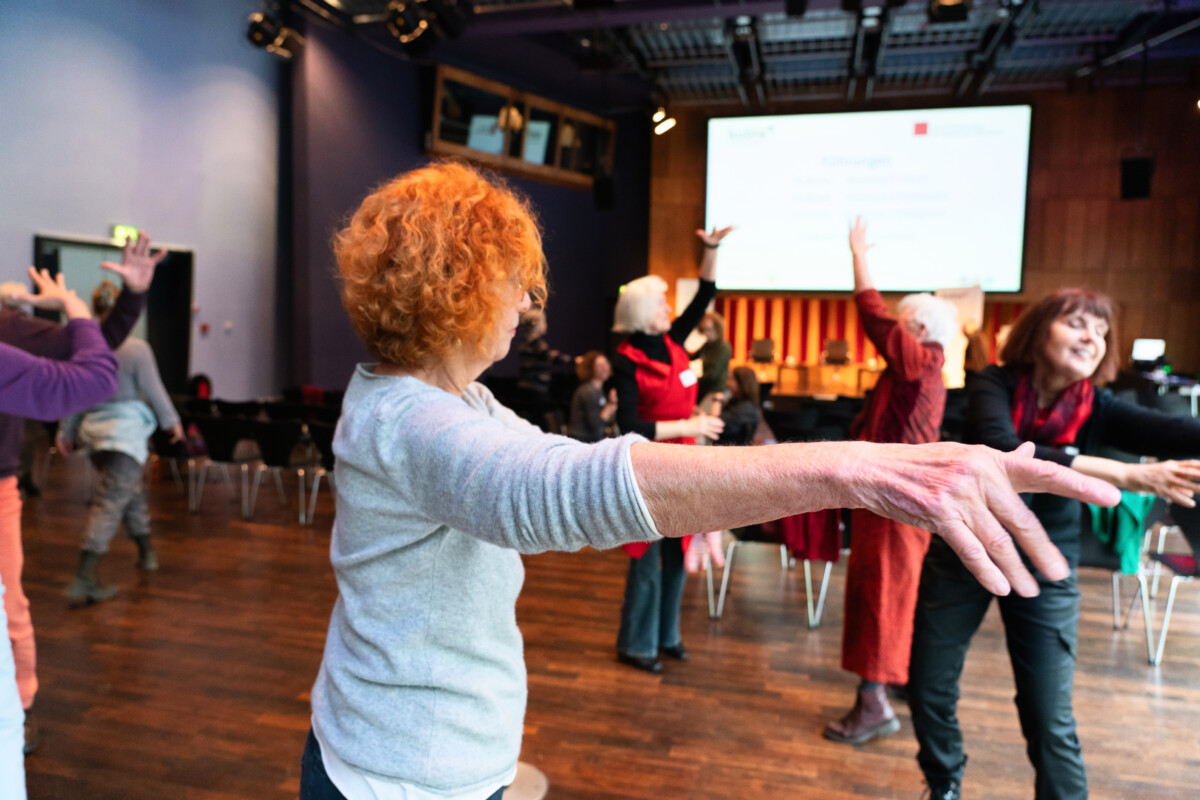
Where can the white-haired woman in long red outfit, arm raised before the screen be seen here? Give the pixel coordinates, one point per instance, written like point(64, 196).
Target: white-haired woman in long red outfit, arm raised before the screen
point(885, 562)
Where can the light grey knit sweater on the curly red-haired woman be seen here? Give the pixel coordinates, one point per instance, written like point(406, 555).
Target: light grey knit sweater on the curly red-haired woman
point(423, 678)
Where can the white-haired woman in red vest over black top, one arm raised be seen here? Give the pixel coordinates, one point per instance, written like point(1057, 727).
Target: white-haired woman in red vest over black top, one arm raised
point(657, 399)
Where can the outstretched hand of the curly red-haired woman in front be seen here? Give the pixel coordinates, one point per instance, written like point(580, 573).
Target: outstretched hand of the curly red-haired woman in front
point(969, 497)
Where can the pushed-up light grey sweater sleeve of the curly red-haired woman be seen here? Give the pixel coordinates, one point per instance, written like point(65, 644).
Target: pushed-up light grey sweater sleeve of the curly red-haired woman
point(508, 484)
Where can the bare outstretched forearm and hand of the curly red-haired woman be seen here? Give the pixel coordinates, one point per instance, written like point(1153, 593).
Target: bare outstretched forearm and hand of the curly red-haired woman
point(969, 496)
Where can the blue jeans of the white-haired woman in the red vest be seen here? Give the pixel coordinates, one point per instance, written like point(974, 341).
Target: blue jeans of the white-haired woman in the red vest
point(650, 617)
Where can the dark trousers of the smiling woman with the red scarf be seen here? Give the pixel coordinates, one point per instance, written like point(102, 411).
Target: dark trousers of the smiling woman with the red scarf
point(1042, 634)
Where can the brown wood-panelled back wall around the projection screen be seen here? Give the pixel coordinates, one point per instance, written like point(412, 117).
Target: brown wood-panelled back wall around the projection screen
point(1145, 254)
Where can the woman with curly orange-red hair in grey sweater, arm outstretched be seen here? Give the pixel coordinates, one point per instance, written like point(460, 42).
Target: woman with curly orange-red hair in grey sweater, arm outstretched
point(440, 490)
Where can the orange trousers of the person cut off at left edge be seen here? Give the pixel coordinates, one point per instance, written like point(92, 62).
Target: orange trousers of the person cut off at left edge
point(16, 605)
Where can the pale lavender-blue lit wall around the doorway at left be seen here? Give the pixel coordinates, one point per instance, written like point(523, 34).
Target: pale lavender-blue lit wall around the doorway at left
point(160, 116)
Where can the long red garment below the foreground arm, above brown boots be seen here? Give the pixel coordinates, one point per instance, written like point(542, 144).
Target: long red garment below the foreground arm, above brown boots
point(883, 579)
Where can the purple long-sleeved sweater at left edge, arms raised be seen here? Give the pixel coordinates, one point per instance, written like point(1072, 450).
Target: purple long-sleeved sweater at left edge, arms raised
point(82, 370)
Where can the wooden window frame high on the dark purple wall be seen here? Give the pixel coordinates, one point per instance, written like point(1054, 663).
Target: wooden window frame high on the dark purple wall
point(524, 103)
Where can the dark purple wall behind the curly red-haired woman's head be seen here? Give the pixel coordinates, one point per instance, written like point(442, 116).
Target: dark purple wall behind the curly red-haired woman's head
point(359, 119)
